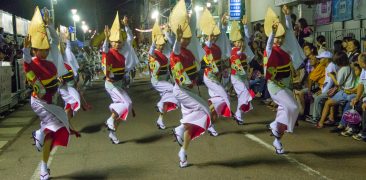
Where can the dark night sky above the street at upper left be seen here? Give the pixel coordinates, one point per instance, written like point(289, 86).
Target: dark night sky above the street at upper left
point(96, 13)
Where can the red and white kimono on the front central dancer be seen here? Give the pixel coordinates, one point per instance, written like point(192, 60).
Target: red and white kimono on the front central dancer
point(194, 109)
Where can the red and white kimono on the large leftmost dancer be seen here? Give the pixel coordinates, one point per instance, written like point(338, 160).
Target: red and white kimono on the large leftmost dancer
point(42, 76)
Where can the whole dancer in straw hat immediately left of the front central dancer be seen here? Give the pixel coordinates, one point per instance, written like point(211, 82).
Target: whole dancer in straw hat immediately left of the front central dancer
point(159, 72)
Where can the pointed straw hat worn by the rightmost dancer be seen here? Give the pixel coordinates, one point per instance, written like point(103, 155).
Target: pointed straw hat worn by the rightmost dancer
point(270, 19)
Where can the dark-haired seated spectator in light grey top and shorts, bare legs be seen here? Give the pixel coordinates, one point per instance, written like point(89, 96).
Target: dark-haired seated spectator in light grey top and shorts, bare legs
point(344, 82)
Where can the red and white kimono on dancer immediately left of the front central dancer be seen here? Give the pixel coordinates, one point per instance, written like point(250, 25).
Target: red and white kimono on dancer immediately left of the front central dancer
point(159, 67)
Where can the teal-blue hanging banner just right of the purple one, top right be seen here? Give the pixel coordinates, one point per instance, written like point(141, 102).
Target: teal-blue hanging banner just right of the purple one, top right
point(341, 10)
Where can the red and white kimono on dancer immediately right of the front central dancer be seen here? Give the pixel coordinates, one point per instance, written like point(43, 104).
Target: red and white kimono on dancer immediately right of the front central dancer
point(218, 95)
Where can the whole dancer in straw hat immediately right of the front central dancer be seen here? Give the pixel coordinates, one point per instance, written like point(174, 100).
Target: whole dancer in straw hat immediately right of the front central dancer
point(219, 100)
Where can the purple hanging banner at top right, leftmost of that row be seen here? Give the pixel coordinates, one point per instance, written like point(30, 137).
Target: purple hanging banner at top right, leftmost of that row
point(323, 12)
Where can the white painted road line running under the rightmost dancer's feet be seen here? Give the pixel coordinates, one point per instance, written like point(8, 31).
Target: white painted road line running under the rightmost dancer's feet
point(300, 165)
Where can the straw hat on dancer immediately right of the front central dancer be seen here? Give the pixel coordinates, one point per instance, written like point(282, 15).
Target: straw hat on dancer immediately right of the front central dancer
point(207, 24)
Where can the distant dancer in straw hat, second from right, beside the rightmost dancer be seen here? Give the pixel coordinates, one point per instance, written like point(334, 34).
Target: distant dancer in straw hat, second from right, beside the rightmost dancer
point(239, 72)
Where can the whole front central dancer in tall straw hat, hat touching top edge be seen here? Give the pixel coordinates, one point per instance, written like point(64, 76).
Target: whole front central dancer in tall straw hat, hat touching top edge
point(196, 115)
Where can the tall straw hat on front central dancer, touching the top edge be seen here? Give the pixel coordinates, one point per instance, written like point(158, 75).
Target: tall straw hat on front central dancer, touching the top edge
point(179, 16)
